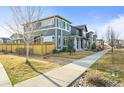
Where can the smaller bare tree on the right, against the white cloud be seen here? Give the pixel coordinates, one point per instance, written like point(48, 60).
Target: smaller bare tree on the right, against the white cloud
point(112, 37)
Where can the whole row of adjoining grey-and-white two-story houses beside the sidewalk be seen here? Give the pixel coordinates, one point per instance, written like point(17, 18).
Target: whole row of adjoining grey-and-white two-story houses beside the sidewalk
point(56, 29)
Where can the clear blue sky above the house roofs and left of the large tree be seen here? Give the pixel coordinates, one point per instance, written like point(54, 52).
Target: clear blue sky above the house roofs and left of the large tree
point(95, 17)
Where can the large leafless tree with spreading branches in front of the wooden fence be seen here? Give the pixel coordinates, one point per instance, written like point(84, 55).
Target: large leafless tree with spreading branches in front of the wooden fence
point(23, 18)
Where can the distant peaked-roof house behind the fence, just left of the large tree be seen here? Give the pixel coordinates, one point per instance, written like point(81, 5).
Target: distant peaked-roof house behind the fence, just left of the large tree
point(17, 38)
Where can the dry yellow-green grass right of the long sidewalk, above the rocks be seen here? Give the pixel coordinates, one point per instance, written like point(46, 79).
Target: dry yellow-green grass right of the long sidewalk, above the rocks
point(109, 63)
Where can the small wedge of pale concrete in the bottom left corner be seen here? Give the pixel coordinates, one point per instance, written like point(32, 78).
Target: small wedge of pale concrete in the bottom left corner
point(4, 80)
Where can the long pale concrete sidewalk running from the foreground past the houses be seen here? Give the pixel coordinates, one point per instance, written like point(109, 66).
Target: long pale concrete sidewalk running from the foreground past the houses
point(62, 76)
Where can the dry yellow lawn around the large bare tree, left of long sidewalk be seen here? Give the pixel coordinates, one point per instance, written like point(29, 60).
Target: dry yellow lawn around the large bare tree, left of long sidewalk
point(18, 71)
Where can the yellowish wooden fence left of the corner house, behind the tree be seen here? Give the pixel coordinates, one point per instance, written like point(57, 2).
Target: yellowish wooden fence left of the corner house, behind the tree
point(35, 49)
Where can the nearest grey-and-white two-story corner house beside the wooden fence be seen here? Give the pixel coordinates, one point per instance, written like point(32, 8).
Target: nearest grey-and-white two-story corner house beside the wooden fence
point(51, 29)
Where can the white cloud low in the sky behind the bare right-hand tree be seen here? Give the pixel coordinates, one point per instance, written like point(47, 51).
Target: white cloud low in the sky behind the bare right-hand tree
point(117, 24)
